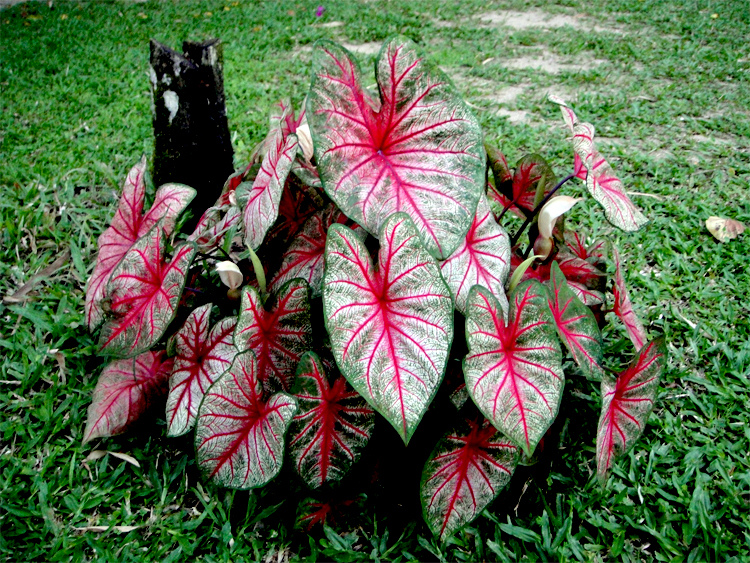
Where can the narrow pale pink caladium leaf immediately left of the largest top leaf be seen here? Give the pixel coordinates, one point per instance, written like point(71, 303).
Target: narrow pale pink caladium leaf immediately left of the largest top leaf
point(262, 206)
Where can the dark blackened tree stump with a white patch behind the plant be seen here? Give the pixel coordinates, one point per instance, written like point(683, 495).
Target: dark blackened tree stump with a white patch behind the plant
point(192, 142)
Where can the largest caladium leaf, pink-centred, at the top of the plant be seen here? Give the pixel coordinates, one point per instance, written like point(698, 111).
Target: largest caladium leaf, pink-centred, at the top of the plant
point(418, 149)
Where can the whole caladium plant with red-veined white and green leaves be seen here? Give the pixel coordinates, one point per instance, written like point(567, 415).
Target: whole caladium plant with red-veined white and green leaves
point(320, 297)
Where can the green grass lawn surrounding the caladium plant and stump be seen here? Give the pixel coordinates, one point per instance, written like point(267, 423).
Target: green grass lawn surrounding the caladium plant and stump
point(667, 84)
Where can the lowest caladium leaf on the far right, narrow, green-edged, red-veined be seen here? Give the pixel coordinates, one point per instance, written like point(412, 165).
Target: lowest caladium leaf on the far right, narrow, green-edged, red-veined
point(626, 403)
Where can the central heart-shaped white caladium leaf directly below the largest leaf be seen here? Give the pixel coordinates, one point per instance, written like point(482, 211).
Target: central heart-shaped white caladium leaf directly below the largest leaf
point(391, 328)
